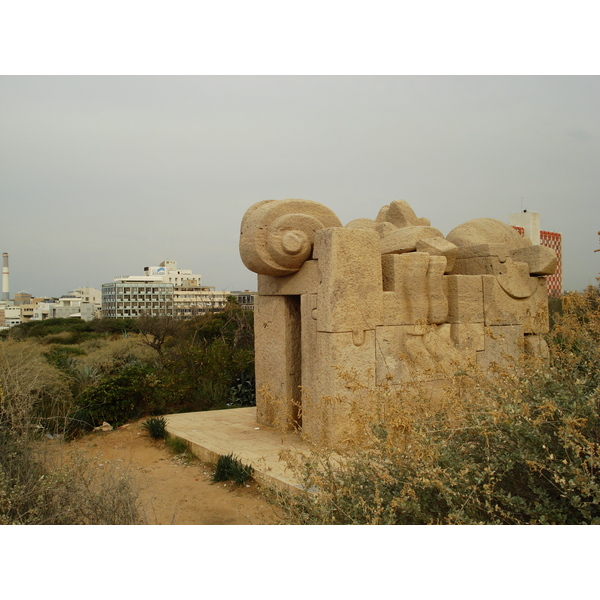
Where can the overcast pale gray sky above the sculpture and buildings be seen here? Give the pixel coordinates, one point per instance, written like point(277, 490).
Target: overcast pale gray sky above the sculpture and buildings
point(102, 176)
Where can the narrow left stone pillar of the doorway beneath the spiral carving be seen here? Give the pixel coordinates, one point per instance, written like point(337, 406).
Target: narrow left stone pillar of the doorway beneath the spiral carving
point(277, 360)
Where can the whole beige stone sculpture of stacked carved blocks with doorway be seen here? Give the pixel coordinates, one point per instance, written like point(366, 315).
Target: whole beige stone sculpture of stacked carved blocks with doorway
point(381, 302)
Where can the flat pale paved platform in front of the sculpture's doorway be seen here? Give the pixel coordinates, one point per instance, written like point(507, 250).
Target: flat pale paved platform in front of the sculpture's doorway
point(221, 432)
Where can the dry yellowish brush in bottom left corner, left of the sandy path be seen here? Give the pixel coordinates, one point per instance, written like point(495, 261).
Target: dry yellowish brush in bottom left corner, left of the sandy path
point(33, 488)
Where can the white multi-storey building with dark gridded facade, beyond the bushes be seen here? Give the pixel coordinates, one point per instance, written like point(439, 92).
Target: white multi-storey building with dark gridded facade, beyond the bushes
point(136, 296)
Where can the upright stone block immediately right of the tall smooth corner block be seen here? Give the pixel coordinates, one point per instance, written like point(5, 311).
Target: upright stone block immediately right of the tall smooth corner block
point(405, 284)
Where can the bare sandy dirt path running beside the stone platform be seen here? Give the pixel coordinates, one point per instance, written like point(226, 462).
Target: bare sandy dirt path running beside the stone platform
point(173, 490)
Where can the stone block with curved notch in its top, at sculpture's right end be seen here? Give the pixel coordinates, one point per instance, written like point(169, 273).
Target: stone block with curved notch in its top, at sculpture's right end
point(502, 309)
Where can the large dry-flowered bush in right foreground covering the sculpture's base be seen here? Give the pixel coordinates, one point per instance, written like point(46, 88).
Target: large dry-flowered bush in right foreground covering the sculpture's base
point(517, 449)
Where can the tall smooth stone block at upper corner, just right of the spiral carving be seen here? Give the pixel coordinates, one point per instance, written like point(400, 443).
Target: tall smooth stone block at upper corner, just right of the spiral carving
point(350, 294)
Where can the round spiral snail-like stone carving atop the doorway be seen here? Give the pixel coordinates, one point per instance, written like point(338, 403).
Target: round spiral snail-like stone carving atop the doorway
point(277, 236)
